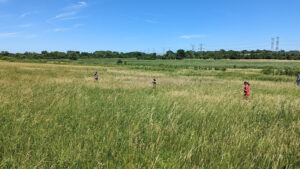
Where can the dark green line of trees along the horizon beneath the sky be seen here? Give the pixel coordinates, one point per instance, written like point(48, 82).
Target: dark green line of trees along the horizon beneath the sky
point(178, 55)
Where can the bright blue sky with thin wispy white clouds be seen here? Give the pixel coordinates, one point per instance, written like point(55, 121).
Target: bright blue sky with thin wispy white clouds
point(147, 25)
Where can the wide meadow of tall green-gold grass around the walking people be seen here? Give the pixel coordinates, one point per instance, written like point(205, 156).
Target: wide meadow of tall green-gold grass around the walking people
point(57, 116)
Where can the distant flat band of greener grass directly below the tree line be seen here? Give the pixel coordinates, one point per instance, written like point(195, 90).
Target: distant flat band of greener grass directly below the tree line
point(254, 64)
